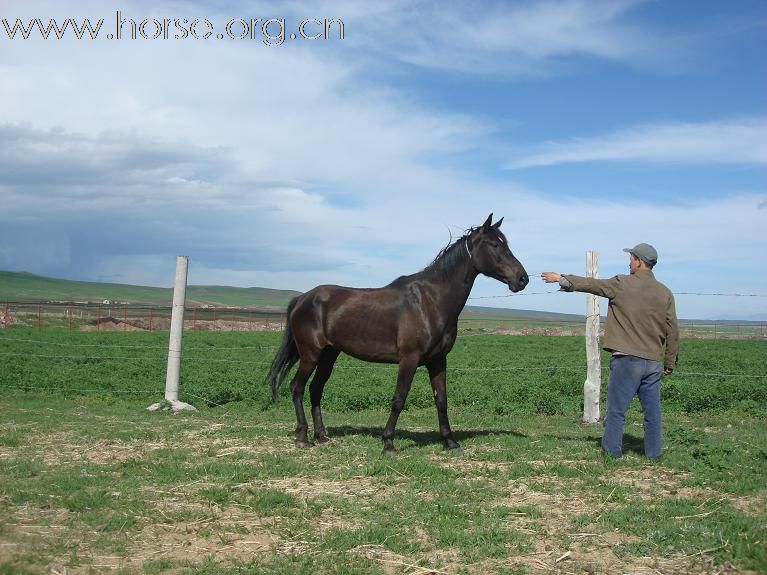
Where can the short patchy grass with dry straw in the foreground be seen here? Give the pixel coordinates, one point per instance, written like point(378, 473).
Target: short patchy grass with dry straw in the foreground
point(224, 491)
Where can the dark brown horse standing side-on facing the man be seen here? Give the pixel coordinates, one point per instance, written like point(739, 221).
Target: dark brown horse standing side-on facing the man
point(413, 321)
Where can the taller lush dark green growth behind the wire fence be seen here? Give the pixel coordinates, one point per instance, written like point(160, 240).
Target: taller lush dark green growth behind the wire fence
point(505, 375)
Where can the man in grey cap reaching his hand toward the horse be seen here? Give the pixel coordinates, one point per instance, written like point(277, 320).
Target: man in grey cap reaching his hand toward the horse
point(641, 320)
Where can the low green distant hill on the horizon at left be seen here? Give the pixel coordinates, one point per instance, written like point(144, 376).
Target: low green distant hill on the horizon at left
point(26, 287)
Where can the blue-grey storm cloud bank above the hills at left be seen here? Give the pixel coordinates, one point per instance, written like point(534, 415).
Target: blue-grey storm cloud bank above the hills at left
point(71, 202)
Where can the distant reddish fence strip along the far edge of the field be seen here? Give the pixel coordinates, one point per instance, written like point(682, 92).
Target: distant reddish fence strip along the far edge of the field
point(131, 317)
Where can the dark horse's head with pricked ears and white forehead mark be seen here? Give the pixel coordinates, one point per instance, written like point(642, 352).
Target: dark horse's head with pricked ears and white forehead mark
point(492, 256)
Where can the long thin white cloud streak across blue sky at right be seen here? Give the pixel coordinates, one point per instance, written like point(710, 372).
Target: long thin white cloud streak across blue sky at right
point(738, 141)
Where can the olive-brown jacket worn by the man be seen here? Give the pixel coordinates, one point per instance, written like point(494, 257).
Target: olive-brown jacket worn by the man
point(641, 315)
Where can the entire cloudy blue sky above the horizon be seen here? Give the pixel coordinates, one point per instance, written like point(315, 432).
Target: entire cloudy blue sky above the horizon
point(277, 157)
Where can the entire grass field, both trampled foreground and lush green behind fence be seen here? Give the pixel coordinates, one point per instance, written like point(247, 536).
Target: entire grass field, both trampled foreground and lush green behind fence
point(92, 482)
